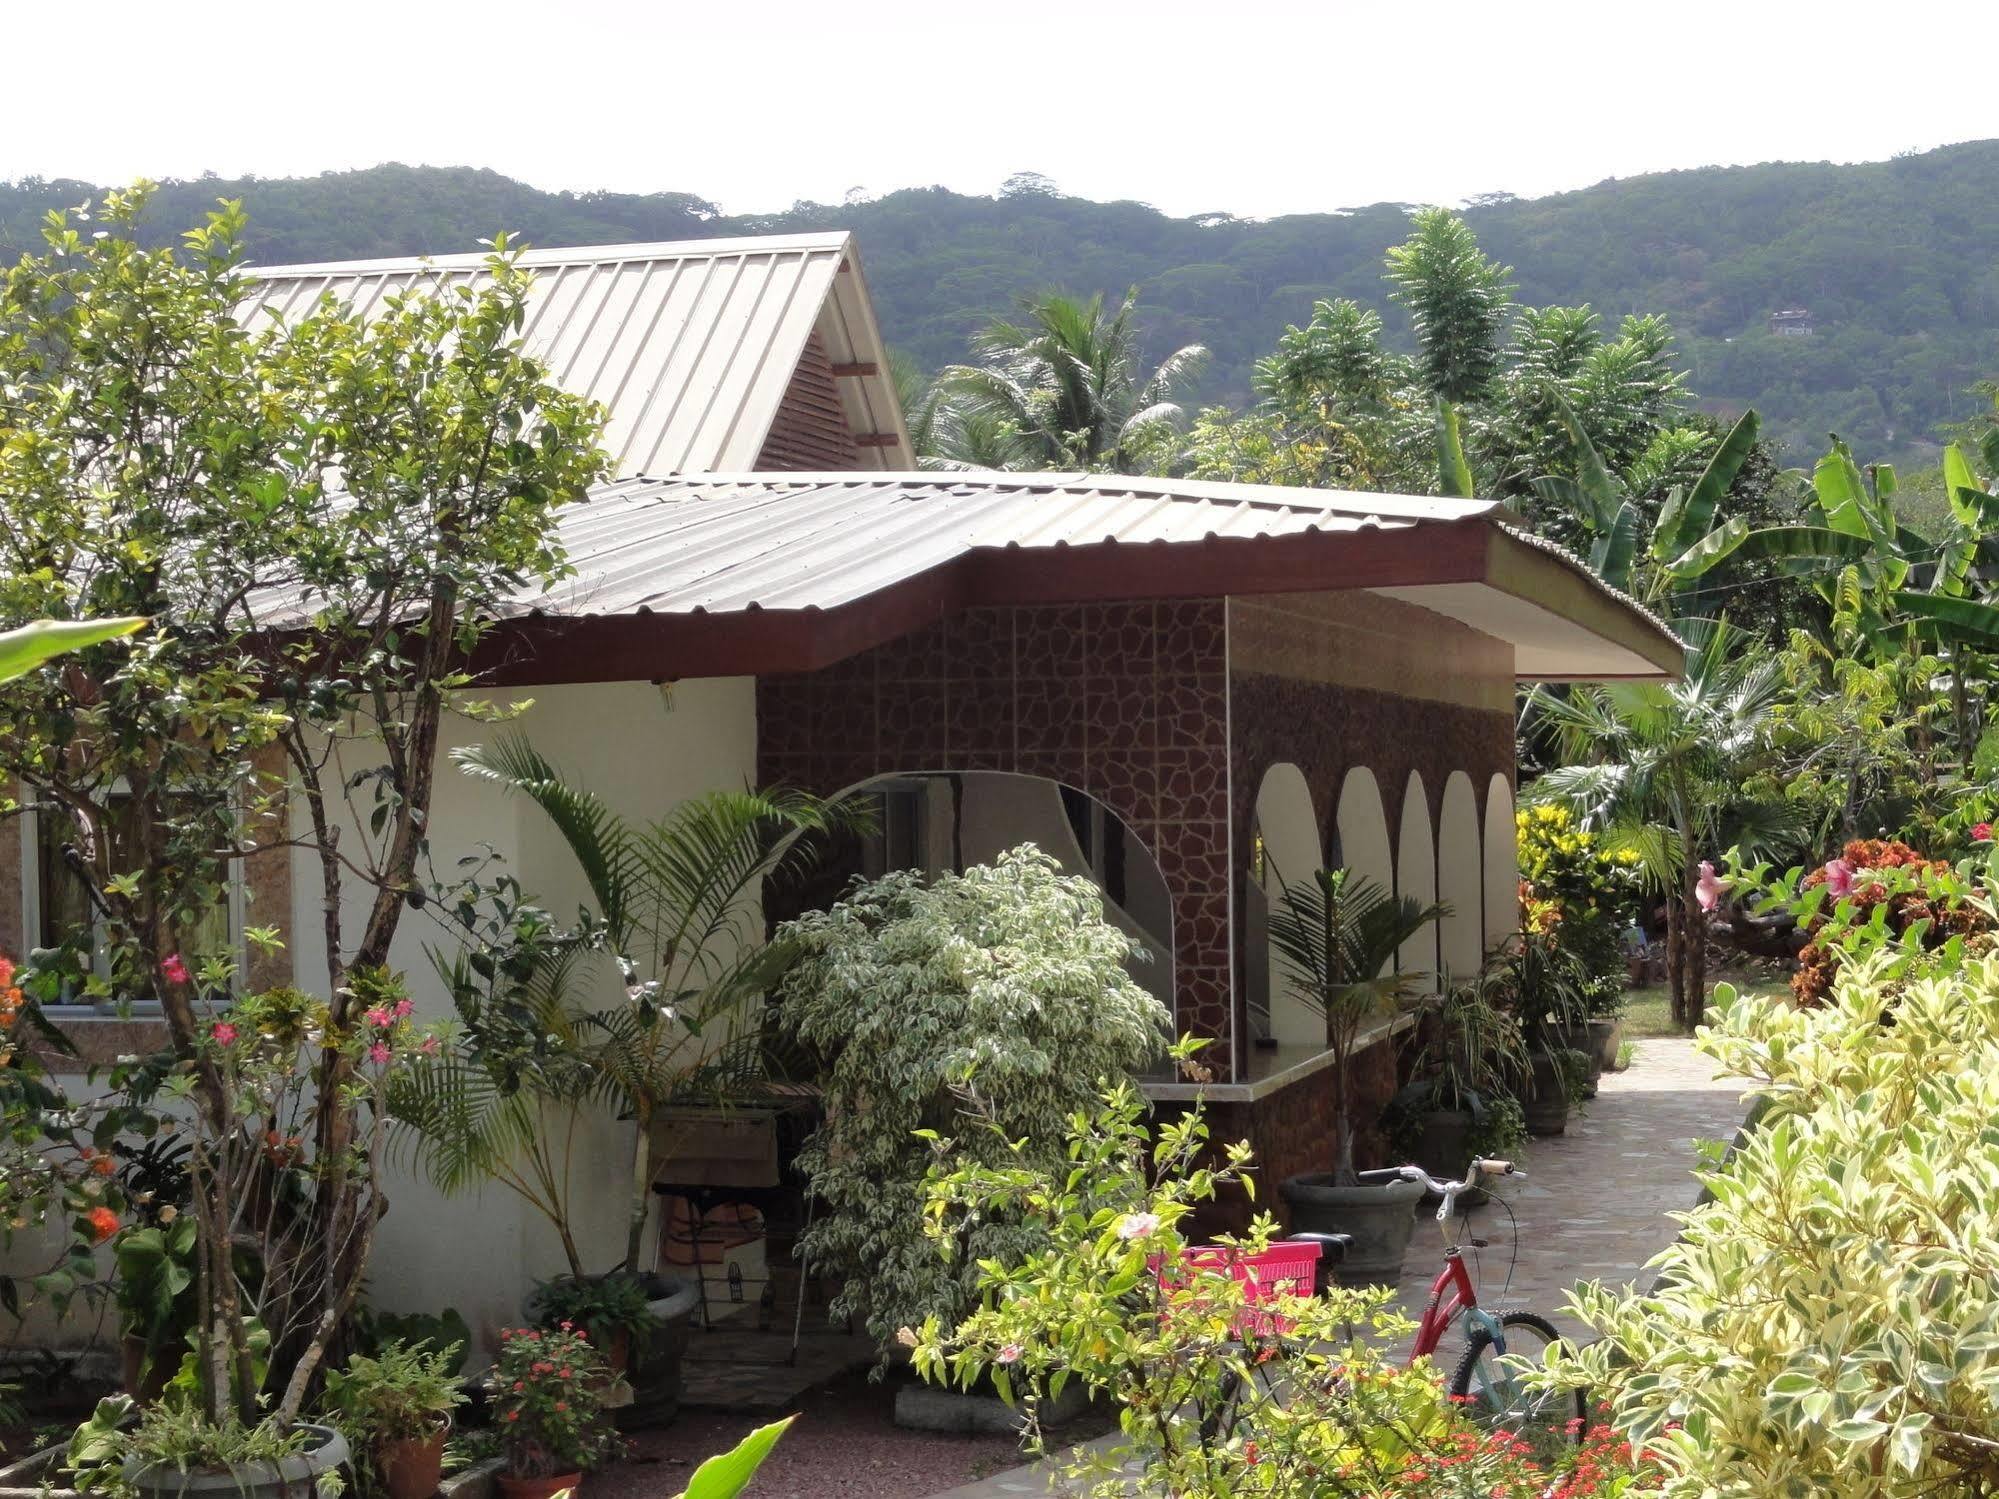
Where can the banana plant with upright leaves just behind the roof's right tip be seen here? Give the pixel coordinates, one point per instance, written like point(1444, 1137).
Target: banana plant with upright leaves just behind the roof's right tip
point(1684, 543)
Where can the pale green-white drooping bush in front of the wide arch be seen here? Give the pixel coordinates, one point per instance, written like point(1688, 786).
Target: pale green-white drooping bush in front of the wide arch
point(1002, 990)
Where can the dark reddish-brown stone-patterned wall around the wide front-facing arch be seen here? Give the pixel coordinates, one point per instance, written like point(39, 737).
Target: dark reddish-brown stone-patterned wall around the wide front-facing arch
point(1122, 701)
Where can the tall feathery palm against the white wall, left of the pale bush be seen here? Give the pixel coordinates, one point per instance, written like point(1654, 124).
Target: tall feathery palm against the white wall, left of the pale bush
point(679, 914)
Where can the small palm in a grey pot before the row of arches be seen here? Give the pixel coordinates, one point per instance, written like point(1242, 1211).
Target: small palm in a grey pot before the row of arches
point(1338, 938)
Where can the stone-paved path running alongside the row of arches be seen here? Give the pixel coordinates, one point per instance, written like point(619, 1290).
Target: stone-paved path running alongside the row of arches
point(1594, 1204)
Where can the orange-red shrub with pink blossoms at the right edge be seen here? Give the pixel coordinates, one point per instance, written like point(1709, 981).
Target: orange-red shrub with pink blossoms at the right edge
point(1876, 898)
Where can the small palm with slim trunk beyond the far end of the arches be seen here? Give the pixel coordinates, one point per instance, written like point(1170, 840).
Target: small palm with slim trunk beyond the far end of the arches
point(1658, 764)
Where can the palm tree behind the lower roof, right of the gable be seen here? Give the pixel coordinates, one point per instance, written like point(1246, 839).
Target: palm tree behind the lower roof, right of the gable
point(1064, 387)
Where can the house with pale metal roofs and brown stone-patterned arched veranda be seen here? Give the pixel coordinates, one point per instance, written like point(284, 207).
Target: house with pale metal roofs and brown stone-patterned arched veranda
point(1188, 691)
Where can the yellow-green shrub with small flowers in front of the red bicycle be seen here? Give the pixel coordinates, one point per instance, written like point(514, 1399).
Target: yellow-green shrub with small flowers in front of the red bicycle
point(1220, 1388)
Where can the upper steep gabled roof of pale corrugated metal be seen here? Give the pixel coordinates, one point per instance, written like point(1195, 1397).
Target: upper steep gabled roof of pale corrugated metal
point(691, 347)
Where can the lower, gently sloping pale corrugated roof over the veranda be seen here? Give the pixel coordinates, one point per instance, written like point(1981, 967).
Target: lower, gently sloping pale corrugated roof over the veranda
point(823, 541)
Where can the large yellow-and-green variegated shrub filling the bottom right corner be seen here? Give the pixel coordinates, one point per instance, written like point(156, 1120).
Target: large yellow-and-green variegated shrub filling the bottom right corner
point(1828, 1324)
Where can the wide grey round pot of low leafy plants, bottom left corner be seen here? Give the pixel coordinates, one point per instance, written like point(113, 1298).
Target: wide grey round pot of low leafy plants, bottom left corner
point(175, 1450)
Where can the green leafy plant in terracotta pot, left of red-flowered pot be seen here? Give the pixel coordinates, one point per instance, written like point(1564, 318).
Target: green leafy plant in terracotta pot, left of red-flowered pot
point(399, 1404)
